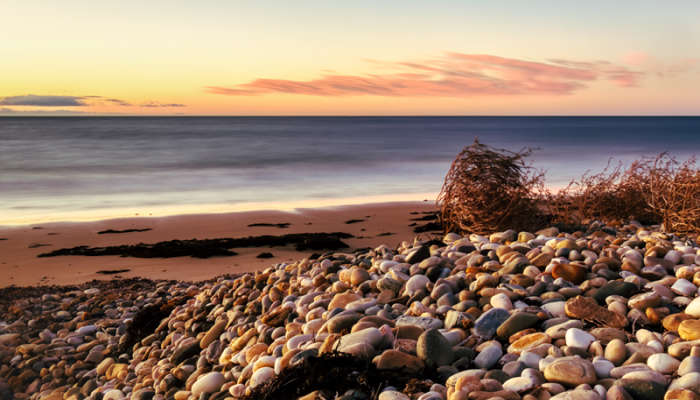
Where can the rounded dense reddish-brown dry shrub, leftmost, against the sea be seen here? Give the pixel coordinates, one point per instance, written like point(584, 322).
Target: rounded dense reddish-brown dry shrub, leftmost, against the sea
point(488, 189)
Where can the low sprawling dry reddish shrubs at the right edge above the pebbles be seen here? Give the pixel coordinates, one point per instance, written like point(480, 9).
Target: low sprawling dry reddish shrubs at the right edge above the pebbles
point(651, 190)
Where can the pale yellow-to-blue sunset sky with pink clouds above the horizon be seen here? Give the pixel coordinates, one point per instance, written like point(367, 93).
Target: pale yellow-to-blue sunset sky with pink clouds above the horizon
point(349, 58)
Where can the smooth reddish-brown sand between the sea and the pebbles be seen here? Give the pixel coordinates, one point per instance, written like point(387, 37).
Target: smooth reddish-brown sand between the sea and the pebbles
point(20, 265)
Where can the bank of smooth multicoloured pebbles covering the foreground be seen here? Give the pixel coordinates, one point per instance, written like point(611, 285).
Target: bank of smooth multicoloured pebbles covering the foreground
point(602, 313)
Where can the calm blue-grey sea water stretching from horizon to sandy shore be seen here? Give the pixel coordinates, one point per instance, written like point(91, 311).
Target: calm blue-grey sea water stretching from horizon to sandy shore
point(56, 167)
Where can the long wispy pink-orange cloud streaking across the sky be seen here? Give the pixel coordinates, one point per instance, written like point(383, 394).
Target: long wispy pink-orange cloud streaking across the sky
point(450, 75)
